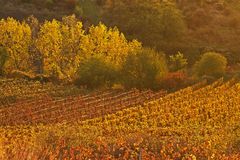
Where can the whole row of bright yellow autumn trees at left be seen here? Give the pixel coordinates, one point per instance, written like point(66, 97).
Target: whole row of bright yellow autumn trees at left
point(62, 45)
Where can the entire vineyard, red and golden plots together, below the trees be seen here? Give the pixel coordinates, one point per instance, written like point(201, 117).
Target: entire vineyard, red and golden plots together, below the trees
point(46, 121)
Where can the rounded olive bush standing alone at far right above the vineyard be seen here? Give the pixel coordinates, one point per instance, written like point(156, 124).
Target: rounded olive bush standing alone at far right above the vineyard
point(211, 64)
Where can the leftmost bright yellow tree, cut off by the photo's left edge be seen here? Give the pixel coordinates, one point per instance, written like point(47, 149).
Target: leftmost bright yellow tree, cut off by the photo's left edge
point(15, 37)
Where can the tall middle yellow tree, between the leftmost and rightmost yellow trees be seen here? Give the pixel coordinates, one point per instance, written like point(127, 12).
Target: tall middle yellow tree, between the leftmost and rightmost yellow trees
point(59, 43)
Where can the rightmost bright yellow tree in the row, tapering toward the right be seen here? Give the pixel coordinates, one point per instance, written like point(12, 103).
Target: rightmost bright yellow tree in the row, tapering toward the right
point(109, 43)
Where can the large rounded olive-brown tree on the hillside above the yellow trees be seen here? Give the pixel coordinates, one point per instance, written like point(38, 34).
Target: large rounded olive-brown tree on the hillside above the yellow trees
point(151, 22)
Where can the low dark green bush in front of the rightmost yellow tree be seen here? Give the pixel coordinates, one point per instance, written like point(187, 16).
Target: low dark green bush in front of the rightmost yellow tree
point(95, 73)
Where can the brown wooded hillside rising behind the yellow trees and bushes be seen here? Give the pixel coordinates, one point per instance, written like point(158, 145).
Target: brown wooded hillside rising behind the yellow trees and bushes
point(210, 24)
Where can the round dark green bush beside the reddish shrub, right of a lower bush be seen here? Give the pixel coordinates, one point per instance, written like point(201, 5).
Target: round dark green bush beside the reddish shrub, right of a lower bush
point(144, 69)
